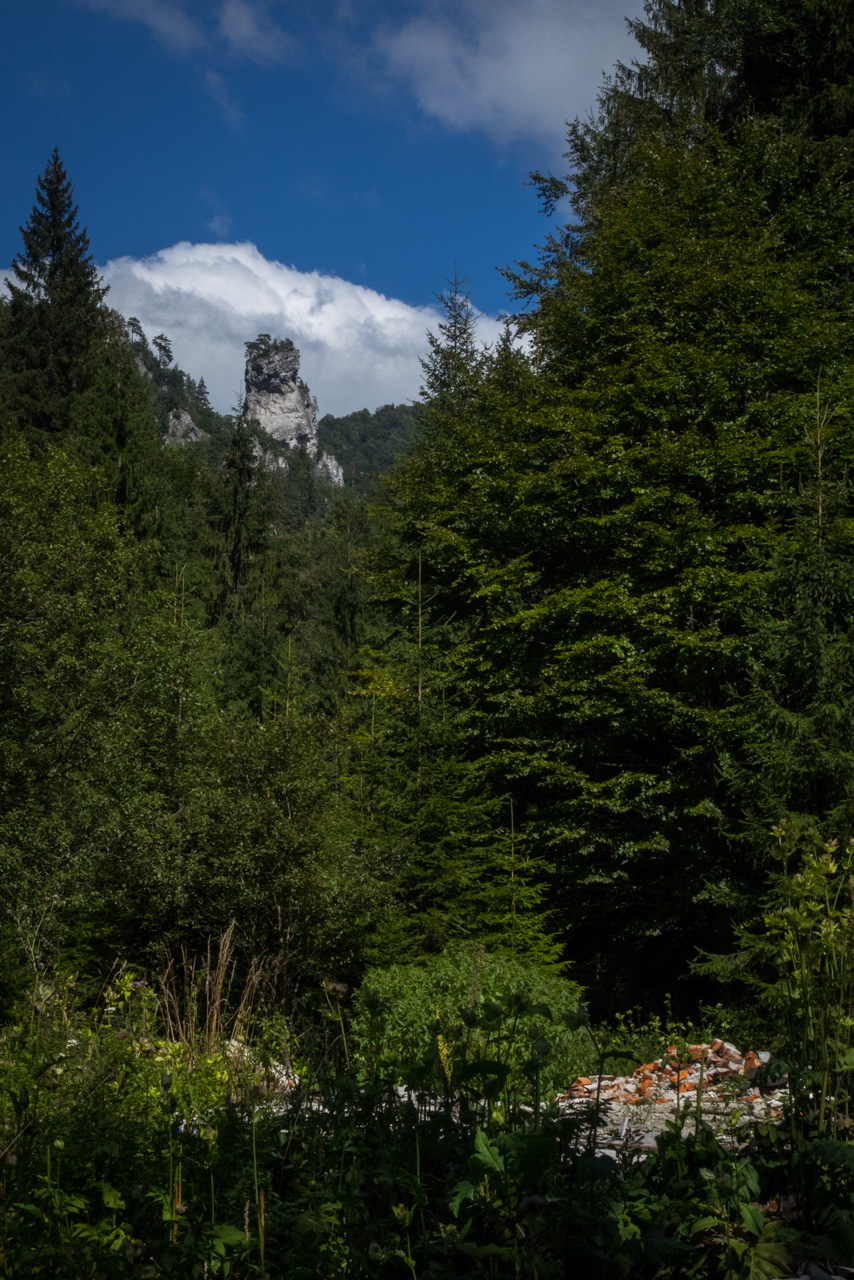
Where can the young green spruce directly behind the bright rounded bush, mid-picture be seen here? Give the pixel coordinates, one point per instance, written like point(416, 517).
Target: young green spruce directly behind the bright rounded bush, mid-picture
point(455, 868)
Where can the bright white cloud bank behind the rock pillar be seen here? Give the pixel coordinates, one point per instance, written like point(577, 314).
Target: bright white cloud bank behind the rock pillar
point(359, 349)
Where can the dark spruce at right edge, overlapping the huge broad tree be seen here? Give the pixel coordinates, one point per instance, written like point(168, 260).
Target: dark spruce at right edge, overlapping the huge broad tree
point(798, 758)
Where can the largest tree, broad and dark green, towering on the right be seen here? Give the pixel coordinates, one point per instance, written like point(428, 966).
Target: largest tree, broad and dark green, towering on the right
point(599, 527)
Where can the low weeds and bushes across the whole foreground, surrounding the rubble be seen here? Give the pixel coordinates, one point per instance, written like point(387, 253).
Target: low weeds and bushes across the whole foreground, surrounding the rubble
point(177, 1132)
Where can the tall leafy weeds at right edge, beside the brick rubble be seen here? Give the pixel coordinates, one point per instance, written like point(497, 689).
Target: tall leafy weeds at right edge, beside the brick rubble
point(796, 958)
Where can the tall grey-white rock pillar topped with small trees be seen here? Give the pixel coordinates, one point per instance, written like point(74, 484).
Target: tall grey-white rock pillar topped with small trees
point(280, 401)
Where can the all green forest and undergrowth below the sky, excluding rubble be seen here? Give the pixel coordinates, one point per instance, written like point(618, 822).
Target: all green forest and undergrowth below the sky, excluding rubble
point(368, 784)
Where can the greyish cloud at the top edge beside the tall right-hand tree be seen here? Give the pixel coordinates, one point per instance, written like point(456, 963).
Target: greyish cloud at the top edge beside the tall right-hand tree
point(513, 71)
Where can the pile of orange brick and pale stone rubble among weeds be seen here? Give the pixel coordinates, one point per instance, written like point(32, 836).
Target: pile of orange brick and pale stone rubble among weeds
point(713, 1080)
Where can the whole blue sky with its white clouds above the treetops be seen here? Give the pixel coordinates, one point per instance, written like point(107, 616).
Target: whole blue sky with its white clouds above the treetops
point(318, 167)
